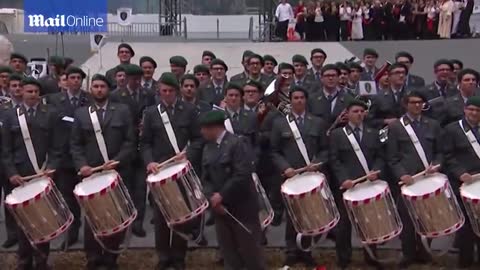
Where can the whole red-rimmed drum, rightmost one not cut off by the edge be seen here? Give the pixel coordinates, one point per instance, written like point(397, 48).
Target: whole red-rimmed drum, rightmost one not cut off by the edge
point(432, 206)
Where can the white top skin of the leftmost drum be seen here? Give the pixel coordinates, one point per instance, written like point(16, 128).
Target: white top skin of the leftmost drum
point(28, 191)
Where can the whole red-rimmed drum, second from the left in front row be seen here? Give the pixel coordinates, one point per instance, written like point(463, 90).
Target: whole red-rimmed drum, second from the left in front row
point(106, 203)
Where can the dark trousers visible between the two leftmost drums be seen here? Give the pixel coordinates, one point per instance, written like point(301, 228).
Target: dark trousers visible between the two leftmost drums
point(66, 179)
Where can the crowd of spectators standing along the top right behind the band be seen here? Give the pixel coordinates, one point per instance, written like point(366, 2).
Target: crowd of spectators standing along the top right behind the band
point(377, 20)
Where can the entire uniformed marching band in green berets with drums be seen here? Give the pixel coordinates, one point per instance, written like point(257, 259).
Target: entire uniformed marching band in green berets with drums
point(329, 150)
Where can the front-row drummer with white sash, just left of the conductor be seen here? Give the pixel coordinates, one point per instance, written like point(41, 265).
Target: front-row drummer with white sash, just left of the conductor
point(156, 148)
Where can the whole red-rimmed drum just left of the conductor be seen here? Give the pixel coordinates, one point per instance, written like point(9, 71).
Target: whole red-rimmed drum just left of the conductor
point(177, 191)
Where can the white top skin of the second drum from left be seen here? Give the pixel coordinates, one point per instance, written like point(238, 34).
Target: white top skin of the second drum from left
point(95, 183)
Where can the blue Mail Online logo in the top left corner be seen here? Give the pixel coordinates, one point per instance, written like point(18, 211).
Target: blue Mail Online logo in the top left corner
point(65, 16)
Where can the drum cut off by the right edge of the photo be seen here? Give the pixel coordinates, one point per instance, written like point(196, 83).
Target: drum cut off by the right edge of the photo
point(470, 194)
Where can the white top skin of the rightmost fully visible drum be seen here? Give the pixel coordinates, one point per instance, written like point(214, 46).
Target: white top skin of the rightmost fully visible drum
point(425, 185)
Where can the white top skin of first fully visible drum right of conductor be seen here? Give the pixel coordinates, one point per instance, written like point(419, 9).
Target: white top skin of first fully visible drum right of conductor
point(303, 183)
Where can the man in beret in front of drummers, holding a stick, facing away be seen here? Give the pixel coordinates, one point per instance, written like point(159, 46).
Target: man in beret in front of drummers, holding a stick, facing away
point(226, 178)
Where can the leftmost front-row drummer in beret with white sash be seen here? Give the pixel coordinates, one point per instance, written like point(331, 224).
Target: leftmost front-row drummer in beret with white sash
point(42, 121)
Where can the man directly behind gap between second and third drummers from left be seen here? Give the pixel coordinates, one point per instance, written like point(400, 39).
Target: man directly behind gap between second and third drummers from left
point(137, 99)
